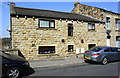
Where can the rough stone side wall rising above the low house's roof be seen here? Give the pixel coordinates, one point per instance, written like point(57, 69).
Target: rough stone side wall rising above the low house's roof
point(88, 10)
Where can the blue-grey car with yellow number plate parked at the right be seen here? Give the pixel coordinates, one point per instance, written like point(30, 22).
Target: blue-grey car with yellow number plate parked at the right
point(102, 54)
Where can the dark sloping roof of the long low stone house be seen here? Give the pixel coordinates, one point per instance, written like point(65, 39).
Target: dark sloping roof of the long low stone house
point(52, 14)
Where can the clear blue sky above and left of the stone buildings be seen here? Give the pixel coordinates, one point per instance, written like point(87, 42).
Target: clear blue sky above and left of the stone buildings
point(56, 6)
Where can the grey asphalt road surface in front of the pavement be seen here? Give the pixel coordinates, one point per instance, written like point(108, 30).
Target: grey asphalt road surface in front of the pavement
point(85, 69)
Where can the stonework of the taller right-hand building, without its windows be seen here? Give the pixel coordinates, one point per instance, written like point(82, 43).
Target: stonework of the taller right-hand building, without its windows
point(99, 14)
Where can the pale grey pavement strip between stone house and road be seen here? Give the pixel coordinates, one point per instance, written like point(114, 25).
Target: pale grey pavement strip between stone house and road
point(55, 62)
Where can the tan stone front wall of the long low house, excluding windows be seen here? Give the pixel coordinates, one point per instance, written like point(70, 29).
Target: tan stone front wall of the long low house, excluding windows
point(25, 32)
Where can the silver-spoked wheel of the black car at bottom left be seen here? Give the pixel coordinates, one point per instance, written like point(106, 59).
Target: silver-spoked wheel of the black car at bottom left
point(13, 72)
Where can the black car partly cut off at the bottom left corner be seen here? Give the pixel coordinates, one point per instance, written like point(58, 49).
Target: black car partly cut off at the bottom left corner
point(13, 66)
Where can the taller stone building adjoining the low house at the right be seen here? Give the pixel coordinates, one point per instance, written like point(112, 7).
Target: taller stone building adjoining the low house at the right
point(111, 19)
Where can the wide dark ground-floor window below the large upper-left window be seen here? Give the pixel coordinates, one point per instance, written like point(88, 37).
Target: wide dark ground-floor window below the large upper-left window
point(46, 49)
